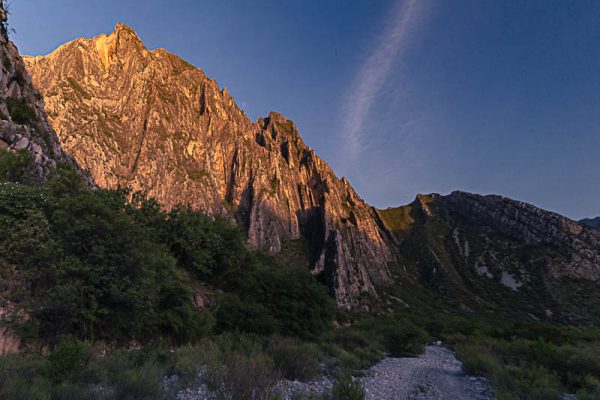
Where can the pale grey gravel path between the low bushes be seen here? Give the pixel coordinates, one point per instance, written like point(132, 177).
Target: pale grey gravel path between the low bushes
point(437, 374)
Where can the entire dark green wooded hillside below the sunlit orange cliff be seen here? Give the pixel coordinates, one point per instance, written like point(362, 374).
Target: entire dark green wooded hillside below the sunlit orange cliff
point(95, 266)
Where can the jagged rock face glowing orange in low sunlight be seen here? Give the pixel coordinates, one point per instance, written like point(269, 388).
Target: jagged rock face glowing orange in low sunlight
point(150, 121)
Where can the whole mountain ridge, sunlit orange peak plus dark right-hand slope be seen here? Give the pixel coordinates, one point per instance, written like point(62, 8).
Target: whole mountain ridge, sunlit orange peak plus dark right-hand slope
point(148, 120)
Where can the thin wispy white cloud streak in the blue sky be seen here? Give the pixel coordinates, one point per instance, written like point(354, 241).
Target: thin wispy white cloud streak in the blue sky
point(404, 17)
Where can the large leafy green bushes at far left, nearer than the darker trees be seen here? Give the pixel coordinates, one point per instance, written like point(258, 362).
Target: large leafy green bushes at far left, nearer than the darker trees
point(93, 270)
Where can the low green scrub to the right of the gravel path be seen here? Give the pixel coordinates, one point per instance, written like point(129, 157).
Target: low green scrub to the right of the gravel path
point(530, 360)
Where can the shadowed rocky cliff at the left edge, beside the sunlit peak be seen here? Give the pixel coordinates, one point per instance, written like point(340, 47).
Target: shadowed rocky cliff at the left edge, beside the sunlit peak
point(23, 124)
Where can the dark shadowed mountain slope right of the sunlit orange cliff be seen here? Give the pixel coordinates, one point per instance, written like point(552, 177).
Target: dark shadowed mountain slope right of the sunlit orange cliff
point(490, 254)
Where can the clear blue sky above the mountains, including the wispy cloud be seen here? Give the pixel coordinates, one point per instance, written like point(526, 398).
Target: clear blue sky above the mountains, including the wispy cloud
point(400, 96)
